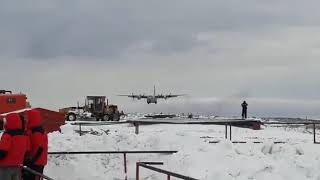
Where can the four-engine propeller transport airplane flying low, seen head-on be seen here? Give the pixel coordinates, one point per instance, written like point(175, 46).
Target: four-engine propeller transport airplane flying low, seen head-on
point(153, 98)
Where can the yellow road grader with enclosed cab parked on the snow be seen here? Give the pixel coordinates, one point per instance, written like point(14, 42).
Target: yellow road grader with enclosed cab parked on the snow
point(95, 108)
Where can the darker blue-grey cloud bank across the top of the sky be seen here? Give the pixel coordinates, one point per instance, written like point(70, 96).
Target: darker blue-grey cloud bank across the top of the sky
point(51, 29)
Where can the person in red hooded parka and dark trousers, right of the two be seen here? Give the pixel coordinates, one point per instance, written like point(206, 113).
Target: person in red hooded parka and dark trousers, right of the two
point(37, 157)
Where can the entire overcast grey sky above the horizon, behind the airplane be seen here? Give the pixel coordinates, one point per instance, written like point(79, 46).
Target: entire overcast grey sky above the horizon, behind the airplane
point(218, 52)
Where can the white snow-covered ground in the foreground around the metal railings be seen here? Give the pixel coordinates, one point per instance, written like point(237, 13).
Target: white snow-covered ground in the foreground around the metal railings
point(296, 160)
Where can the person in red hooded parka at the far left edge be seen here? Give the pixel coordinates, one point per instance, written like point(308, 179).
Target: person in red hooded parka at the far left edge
point(13, 146)
